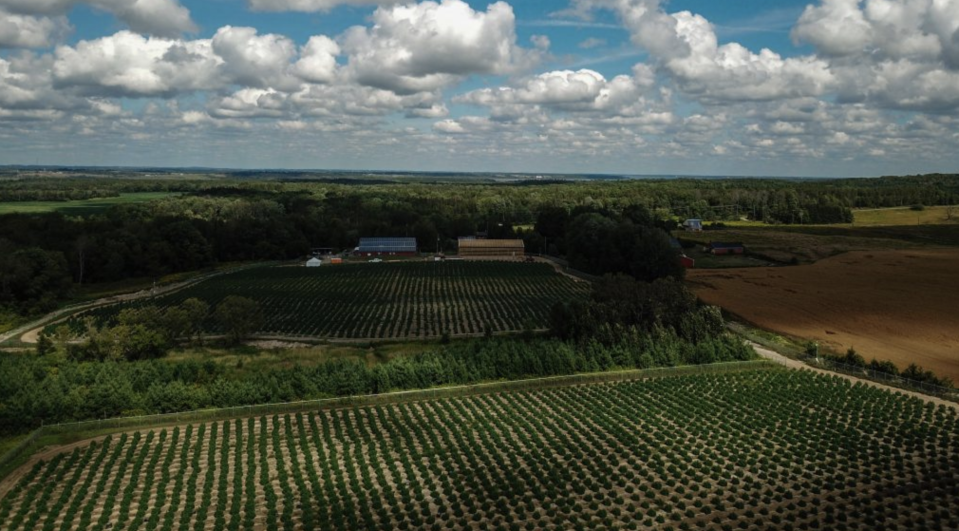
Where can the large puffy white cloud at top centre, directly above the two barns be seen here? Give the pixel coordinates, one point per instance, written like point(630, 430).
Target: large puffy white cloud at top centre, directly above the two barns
point(427, 46)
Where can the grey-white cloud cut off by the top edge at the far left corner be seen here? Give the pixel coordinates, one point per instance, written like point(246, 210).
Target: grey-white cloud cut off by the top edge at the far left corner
point(165, 18)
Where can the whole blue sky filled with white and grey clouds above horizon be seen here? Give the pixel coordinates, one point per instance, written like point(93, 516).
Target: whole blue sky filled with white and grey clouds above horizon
point(638, 87)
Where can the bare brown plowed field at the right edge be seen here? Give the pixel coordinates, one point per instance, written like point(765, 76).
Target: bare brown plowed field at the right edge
point(901, 306)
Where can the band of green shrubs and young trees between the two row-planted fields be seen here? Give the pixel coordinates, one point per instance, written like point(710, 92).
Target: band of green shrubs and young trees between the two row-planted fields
point(33, 388)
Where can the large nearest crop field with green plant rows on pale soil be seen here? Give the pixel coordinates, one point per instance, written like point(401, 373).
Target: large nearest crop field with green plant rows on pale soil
point(767, 449)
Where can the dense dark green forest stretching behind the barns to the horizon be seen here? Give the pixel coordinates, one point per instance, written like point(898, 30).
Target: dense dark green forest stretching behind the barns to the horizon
point(215, 221)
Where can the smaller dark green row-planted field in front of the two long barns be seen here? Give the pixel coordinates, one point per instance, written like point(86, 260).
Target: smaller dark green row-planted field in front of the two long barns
point(389, 300)
